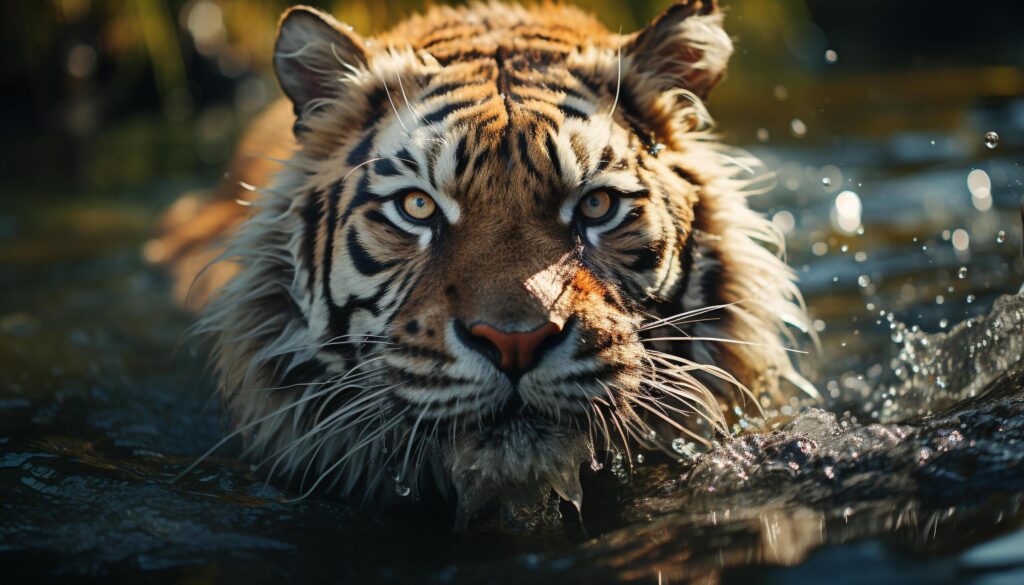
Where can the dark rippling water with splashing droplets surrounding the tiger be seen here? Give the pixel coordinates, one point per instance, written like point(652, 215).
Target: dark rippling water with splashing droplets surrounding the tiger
point(911, 471)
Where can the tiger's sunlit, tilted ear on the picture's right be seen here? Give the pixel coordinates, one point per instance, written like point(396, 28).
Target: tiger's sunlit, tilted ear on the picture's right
point(686, 48)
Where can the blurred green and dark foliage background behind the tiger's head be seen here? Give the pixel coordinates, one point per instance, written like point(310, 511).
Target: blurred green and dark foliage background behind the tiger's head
point(115, 93)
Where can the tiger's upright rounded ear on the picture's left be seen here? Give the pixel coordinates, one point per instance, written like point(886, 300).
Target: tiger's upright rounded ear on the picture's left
point(313, 54)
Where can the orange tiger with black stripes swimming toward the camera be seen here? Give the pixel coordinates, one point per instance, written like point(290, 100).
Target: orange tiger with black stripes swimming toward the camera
point(503, 244)
